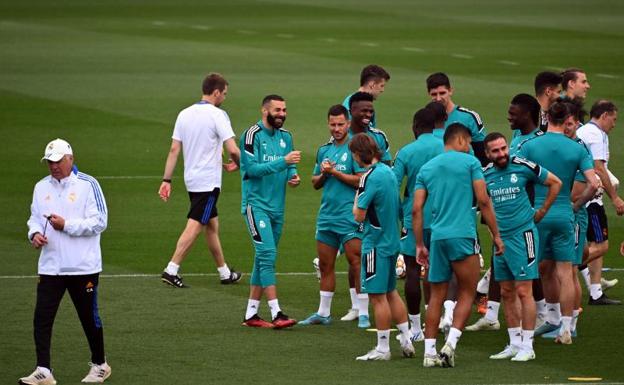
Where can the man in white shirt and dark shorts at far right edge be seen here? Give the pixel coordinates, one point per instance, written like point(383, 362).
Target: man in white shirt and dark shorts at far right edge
point(595, 135)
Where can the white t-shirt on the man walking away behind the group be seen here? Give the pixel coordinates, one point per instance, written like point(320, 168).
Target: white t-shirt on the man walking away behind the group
point(202, 128)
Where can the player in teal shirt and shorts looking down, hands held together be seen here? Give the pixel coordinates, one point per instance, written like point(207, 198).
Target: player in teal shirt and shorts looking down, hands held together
point(337, 173)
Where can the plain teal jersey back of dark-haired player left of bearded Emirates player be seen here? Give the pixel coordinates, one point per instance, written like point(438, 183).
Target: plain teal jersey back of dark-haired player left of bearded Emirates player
point(448, 179)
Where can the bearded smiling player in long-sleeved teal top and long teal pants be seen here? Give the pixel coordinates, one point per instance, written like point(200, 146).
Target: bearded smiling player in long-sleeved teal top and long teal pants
point(268, 164)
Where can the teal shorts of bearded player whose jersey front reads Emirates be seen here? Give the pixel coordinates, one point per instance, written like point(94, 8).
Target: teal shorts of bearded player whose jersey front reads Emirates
point(519, 262)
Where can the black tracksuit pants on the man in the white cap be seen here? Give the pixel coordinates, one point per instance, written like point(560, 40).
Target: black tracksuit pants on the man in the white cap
point(83, 292)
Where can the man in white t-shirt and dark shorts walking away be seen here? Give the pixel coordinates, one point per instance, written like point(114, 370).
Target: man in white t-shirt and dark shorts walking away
point(201, 131)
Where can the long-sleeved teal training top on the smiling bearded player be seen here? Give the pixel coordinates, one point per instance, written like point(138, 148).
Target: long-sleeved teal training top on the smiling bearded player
point(263, 169)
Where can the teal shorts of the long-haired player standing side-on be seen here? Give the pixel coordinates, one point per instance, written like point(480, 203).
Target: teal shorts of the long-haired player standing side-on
point(378, 273)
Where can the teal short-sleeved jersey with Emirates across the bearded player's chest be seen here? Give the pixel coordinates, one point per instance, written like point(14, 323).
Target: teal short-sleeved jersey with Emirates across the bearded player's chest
point(507, 188)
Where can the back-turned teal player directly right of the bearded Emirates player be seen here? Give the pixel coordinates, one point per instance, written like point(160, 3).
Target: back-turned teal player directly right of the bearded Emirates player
point(564, 157)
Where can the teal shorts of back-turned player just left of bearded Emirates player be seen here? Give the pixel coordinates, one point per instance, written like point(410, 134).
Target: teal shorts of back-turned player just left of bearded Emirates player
point(445, 251)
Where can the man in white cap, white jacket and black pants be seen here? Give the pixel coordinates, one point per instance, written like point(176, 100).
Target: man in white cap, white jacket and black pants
point(68, 213)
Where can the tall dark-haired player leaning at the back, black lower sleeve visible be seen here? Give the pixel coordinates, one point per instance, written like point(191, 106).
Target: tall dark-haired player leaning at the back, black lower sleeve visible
point(440, 90)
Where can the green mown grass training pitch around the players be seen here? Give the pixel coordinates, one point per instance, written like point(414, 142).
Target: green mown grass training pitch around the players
point(110, 77)
